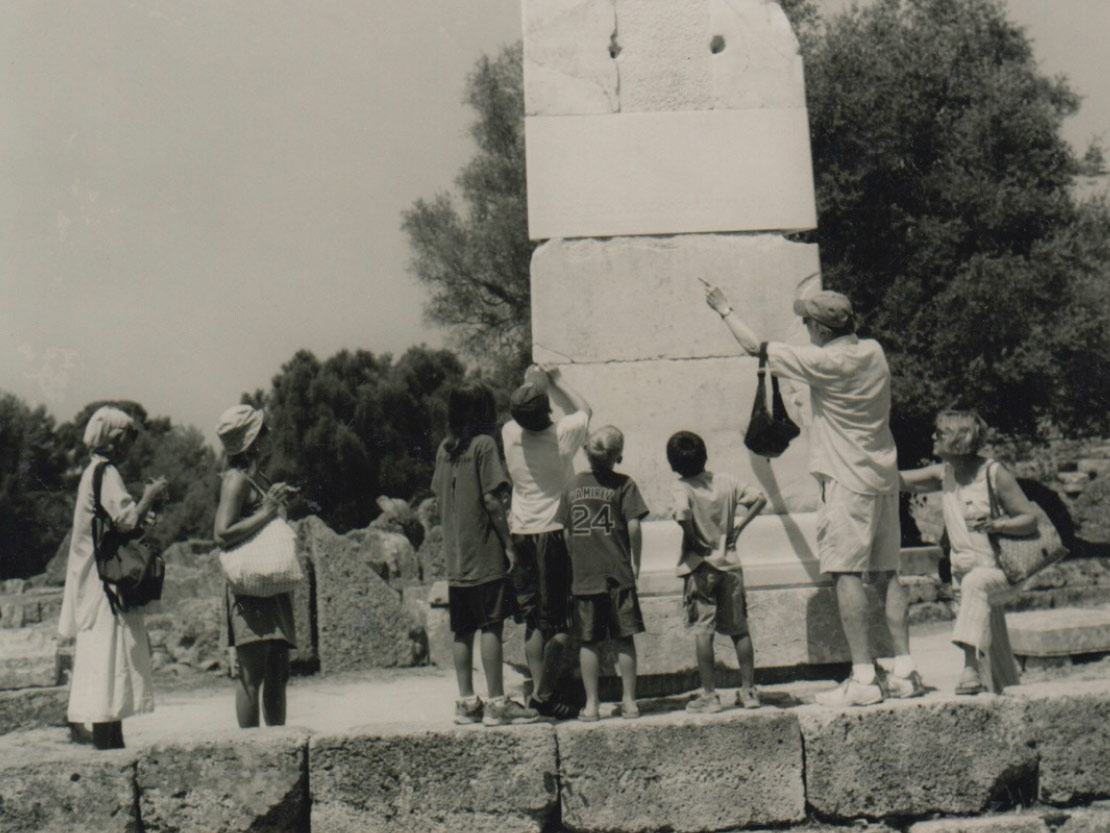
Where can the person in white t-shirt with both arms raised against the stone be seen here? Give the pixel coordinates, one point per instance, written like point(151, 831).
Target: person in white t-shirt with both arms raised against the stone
point(540, 455)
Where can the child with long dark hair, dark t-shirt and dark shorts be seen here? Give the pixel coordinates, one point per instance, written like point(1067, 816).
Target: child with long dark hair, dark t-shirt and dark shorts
point(469, 483)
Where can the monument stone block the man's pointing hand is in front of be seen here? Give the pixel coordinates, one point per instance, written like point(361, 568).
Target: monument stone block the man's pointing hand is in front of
point(647, 303)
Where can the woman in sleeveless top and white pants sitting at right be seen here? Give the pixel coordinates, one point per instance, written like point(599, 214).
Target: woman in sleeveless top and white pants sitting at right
point(962, 478)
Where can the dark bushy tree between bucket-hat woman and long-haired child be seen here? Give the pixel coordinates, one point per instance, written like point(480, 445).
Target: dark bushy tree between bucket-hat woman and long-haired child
point(356, 427)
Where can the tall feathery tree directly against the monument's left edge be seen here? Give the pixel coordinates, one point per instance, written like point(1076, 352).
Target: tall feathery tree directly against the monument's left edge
point(477, 264)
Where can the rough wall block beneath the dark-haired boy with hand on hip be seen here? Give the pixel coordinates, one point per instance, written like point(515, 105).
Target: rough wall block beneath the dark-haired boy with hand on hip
point(682, 774)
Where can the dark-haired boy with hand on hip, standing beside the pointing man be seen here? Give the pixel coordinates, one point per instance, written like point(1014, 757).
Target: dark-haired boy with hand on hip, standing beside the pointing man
point(705, 507)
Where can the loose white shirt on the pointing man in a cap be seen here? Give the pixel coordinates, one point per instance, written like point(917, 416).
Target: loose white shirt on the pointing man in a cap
point(850, 386)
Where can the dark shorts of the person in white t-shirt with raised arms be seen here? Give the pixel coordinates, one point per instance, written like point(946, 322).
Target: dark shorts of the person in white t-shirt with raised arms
point(542, 581)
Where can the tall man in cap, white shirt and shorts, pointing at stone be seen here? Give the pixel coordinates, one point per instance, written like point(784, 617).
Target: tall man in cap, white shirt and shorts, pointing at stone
point(854, 459)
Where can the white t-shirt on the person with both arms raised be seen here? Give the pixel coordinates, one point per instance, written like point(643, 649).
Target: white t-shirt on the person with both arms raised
point(541, 464)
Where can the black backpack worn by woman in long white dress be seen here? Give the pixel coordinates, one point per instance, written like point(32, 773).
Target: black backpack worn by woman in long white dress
point(132, 571)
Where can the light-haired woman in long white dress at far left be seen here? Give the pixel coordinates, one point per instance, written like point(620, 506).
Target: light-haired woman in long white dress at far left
point(112, 675)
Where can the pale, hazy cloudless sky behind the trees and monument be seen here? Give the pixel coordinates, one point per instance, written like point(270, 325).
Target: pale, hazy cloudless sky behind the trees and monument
point(191, 193)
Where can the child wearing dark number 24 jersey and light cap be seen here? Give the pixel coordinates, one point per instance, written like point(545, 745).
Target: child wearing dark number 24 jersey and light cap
point(601, 511)
